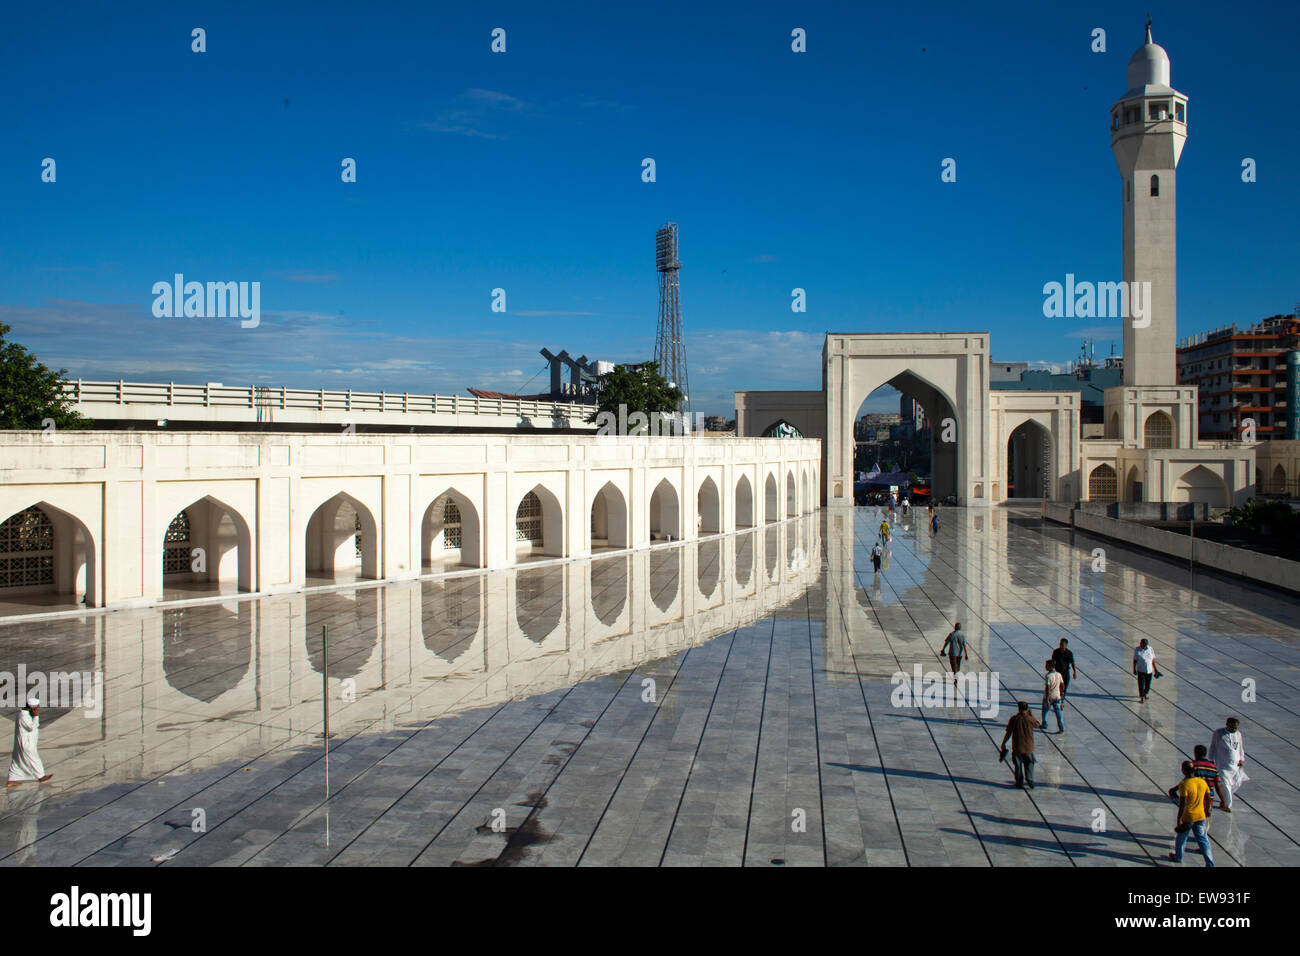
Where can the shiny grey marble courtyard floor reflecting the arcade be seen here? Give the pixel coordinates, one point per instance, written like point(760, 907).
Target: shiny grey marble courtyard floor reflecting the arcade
point(725, 702)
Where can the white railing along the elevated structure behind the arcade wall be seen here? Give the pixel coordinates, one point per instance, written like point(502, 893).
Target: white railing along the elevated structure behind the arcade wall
point(258, 397)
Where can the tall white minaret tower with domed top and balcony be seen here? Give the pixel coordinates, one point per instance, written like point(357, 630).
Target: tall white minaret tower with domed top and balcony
point(1149, 127)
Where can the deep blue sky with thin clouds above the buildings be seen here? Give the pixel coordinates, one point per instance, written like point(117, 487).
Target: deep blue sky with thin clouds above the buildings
point(523, 171)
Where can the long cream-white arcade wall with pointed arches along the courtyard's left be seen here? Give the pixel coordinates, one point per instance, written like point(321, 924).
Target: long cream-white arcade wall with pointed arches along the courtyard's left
point(120, 492)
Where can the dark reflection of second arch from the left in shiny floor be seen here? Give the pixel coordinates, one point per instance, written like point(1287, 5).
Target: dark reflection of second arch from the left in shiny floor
point(207, 651)
